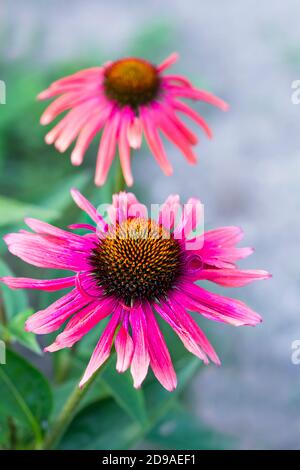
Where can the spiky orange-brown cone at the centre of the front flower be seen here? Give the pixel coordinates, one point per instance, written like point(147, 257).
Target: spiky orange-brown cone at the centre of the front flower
point(138, 260)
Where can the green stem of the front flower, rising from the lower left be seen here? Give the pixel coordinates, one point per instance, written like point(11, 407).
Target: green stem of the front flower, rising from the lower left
point(67, 414)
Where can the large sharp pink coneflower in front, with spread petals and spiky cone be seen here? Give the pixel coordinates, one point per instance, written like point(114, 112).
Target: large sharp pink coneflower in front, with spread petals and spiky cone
point(131, 269)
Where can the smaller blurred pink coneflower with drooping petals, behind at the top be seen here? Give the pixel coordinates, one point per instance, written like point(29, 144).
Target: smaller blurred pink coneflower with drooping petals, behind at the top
point(126, 99)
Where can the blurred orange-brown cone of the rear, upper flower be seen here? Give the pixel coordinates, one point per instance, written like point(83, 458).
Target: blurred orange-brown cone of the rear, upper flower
point(131, 82)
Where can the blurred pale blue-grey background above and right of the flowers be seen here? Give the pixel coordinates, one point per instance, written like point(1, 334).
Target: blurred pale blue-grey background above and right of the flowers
point(248, 53)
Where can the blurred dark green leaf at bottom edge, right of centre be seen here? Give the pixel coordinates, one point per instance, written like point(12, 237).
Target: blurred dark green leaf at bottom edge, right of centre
point(179, 429)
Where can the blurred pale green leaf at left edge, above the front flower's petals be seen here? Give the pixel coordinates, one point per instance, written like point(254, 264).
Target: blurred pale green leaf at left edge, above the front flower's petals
point(12, 211)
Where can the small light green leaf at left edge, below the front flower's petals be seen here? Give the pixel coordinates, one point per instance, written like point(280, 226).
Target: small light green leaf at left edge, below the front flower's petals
point(15, 331)
